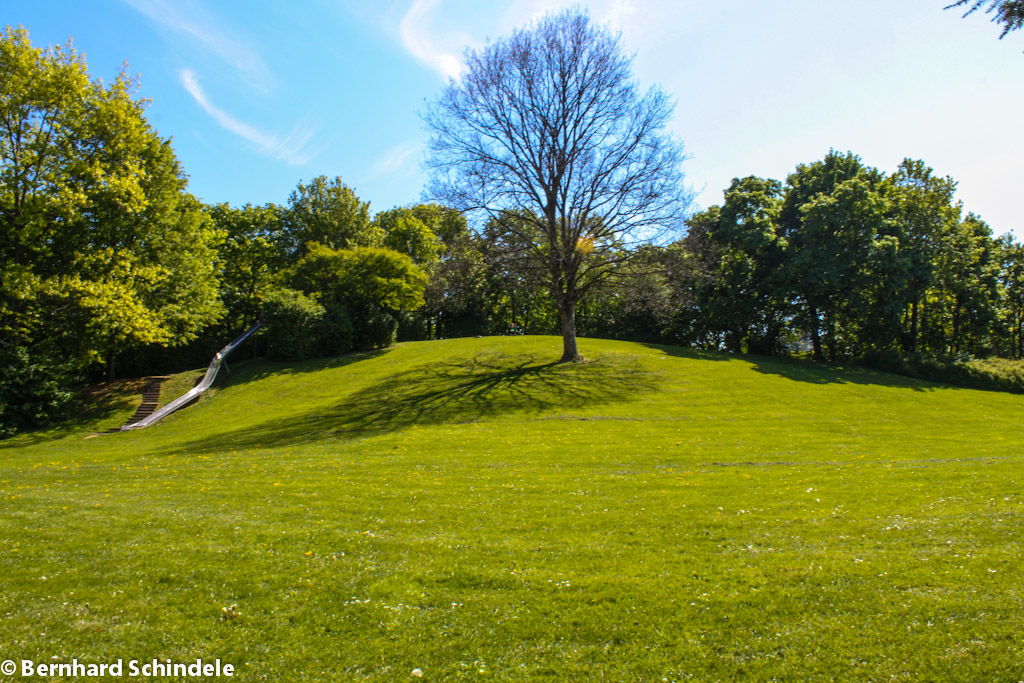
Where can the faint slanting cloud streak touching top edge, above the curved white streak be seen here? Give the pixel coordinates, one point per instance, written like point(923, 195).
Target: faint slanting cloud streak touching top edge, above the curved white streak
point(190, 21)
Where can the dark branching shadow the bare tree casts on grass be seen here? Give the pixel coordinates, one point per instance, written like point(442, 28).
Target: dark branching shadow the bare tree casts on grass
point(451, 392)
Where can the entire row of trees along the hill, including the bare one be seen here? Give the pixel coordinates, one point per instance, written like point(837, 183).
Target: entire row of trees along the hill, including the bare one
point(110, 267)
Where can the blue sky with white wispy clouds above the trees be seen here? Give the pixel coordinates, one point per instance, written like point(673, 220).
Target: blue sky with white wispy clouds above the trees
point(260, 96)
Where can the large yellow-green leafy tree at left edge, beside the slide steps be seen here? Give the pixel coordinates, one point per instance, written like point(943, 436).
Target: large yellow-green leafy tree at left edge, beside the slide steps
point(103, 249)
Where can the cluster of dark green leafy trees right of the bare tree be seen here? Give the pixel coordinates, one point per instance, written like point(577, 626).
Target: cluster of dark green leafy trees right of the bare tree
point(846, 263)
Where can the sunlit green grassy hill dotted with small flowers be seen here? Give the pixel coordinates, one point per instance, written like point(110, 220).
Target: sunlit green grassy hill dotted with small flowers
point(472, 509)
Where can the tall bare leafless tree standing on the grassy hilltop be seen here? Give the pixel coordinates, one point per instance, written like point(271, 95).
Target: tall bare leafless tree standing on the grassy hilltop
point(547, 135)
